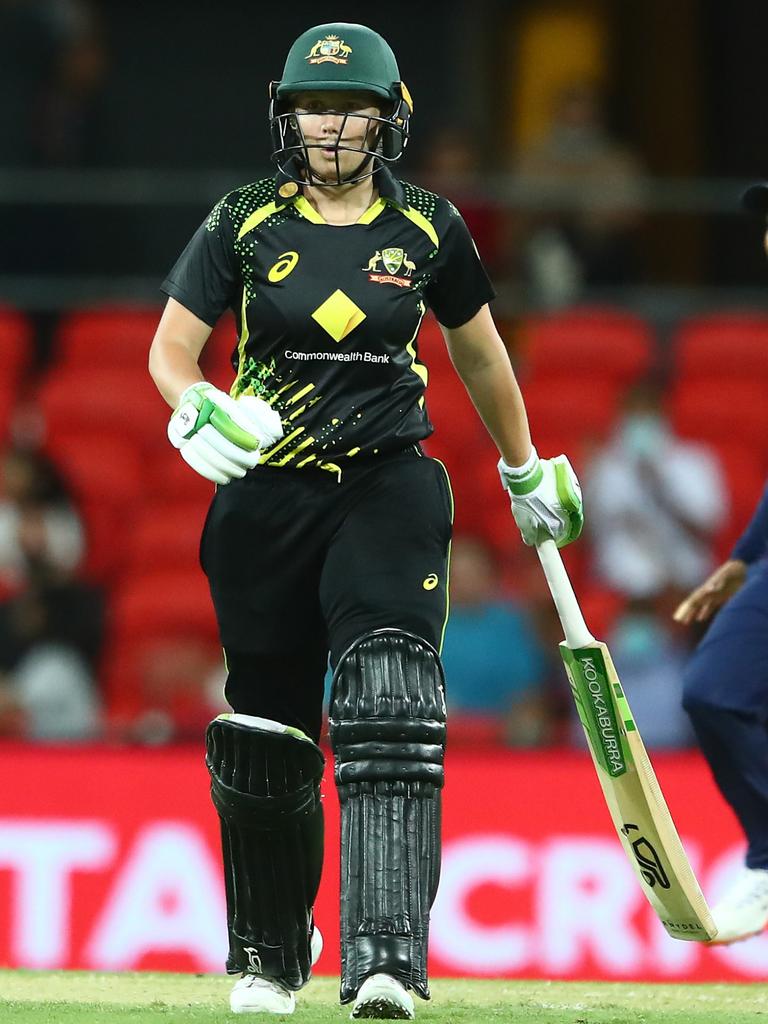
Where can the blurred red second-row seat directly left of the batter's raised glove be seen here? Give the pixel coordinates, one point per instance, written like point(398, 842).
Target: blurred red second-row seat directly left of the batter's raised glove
point(97, 398)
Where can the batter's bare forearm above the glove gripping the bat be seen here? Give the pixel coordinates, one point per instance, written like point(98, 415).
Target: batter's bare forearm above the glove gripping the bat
point(496, 396)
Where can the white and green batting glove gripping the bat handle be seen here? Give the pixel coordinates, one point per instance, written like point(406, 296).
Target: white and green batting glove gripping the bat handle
point(546, 499)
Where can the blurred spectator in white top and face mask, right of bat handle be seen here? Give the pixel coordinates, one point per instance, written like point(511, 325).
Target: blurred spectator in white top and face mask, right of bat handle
point(654, 503)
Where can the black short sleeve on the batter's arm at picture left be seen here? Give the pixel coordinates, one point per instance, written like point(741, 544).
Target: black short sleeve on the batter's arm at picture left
point(205, 279)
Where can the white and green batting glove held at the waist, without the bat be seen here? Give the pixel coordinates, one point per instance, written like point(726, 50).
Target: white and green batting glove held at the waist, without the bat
point(221, 438)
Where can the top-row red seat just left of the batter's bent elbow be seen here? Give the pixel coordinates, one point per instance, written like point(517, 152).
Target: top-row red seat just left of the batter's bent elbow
point(116, 337)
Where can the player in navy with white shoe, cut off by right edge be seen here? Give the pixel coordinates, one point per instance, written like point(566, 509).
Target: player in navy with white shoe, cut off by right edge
point(726, 693)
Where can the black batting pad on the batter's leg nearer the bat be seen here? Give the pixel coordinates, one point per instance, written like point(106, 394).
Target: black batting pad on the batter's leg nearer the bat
point(388, 729)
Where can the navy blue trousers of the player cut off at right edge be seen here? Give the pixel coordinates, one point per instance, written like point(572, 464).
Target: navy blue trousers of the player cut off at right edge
point(726, 693)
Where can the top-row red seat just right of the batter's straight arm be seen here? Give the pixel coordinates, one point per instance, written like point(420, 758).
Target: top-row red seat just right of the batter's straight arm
point(595, 342)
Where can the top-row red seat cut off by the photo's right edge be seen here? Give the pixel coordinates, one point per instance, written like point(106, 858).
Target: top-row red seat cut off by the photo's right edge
point(723, 346)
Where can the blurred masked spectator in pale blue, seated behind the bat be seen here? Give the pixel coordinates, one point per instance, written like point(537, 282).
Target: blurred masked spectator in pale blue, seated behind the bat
point(650, 659)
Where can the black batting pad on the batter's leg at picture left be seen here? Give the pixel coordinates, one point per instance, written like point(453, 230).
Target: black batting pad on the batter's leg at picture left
point(266, 782)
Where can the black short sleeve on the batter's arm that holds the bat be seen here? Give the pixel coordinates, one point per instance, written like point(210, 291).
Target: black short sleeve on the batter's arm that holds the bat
point(460, 286)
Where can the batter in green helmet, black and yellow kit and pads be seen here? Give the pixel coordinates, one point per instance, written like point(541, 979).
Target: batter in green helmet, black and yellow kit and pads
point(329, 531)
